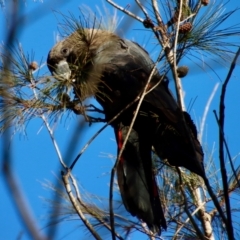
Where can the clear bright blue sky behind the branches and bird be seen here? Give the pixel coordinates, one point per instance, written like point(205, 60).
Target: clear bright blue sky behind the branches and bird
point(34, 158)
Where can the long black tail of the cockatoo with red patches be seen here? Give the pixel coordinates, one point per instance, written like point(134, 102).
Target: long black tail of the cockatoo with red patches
point(136, 179)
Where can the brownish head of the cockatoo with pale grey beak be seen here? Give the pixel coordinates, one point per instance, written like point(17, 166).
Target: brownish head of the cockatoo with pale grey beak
point(79, 59)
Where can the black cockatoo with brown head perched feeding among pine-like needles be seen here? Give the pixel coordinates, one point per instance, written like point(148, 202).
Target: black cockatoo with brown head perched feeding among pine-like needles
point(115, 71)
